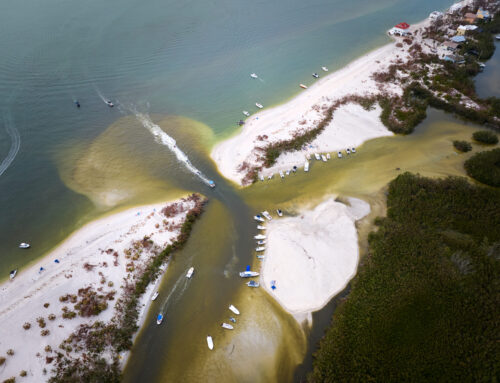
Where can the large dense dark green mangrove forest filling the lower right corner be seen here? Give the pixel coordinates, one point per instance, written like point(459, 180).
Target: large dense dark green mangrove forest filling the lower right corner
point(424, 305)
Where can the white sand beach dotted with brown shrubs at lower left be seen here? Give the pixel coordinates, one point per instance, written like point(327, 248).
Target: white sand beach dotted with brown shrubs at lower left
point(102, 246)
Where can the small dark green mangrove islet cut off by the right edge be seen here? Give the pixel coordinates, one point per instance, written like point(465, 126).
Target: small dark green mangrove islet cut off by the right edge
point(485, 167)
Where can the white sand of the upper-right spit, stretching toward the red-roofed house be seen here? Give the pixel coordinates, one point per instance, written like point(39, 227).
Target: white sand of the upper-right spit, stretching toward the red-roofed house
point(351, 125)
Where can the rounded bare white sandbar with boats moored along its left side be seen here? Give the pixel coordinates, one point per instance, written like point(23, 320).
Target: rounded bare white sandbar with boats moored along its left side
point(312, 257)
